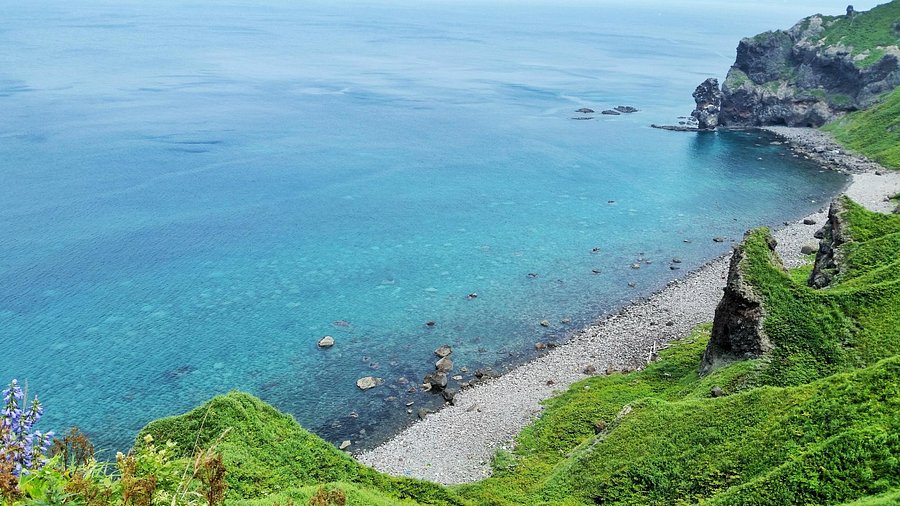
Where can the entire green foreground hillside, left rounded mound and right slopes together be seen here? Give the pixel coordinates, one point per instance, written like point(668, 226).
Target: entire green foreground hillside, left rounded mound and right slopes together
point(817, 421)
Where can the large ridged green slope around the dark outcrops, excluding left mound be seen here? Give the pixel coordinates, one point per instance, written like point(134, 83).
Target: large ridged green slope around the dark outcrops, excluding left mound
point(677, 444)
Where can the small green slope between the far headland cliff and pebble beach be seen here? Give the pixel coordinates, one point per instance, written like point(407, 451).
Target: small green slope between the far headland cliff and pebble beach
point(874, 132)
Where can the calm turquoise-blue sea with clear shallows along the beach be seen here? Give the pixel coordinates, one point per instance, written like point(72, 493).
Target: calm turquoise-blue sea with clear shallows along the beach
point(193, 194)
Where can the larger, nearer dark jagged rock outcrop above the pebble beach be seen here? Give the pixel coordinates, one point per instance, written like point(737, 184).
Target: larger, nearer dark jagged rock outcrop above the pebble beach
point(737, 332)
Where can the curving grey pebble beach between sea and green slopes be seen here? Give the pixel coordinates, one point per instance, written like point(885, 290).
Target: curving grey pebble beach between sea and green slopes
point(456, 444)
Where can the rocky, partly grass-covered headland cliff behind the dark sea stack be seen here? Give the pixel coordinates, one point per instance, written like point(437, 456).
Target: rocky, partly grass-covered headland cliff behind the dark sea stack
point(822, 67)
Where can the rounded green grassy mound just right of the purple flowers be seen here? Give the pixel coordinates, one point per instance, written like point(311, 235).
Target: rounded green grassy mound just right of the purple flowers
point(267, 453)
